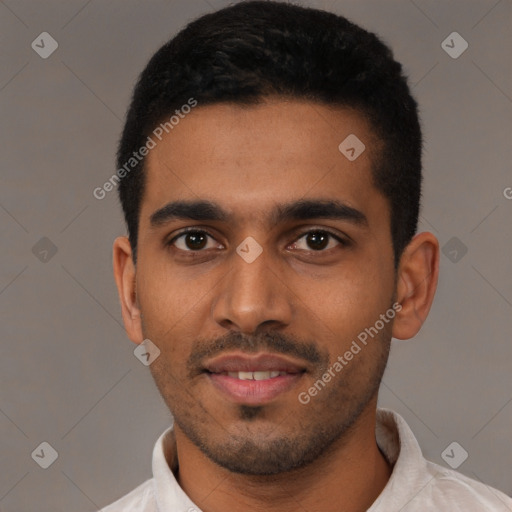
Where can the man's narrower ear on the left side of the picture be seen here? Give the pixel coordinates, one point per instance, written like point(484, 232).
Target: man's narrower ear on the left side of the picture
point(125, 276)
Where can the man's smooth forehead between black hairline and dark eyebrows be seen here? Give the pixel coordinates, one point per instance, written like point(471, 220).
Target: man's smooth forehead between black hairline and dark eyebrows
point(251, 158)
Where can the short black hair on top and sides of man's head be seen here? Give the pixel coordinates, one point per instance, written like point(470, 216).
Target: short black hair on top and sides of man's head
point(252, 50)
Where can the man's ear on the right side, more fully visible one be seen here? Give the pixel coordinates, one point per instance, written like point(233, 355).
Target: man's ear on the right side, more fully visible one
point(418, 272)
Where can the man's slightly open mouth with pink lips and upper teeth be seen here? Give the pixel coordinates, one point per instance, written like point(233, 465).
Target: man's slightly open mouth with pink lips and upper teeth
point(253, 380)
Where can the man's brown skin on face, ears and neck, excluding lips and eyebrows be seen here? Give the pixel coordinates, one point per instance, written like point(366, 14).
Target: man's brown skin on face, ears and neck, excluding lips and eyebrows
point(284, 454)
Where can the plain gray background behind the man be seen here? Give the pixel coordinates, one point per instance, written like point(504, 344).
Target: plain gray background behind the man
point(68, 373)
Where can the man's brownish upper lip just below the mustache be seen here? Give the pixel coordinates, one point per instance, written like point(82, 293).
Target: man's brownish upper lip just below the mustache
point(252, 363)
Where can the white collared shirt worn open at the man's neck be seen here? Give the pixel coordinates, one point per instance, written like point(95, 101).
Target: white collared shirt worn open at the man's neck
point(415, 485)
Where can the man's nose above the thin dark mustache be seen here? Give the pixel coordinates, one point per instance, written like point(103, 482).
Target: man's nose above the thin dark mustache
point(252, 295)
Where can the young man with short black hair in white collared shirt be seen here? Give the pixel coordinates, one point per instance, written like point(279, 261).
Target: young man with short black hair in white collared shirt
point(270, 177)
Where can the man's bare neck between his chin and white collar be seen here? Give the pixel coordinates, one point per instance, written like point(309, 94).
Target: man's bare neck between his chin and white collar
point(349, 477)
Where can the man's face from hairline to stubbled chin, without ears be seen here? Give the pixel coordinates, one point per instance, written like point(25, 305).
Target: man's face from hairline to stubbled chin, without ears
point(279, 274)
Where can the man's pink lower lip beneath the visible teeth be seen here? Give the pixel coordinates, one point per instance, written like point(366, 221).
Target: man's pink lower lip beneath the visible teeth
point(253, 392)
